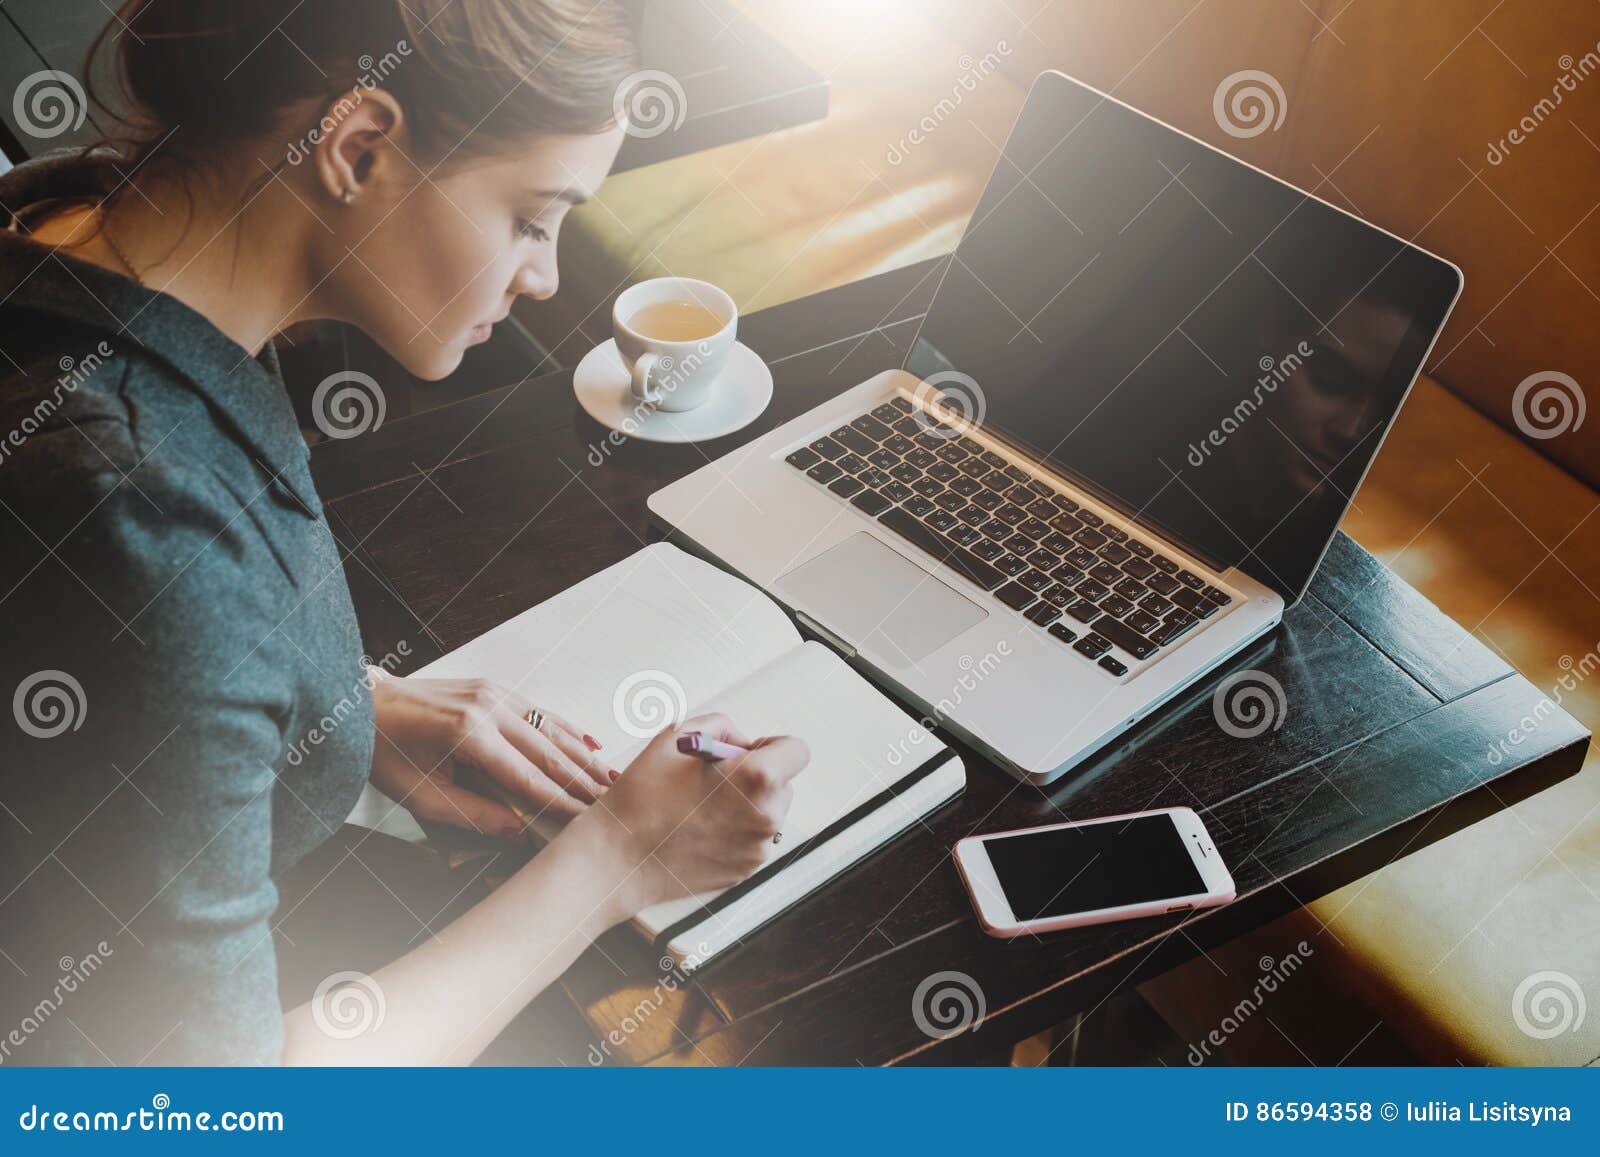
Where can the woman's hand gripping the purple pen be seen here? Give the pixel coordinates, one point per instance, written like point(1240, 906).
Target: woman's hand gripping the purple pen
point(676, 827)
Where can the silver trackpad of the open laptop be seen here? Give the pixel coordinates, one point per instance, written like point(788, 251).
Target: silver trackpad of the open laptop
point(879, 601)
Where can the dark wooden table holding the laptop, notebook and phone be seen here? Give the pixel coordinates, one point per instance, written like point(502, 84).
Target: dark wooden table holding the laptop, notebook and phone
point(465, 516)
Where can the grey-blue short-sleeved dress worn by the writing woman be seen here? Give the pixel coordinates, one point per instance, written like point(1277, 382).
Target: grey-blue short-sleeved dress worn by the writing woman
point(175, 625)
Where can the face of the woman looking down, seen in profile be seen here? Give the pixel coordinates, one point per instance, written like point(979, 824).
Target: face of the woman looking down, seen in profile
point(434, 263)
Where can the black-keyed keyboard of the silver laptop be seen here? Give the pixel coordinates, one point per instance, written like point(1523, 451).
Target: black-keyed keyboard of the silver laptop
point(1087, 583)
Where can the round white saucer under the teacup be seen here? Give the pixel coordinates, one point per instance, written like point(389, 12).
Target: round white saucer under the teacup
point(738, 398)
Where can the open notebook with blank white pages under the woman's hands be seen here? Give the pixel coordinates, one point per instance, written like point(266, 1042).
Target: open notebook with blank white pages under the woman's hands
point(663, 636)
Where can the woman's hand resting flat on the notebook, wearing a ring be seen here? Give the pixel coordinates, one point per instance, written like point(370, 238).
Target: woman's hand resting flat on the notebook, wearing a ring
point(430, 726)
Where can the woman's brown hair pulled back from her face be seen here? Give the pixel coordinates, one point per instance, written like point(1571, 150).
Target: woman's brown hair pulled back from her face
point(191, 78)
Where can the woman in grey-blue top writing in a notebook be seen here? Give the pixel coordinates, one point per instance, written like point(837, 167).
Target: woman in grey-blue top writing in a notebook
point(175, 611)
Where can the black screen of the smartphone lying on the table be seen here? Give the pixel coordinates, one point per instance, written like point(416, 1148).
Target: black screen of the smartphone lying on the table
point(1081, 870)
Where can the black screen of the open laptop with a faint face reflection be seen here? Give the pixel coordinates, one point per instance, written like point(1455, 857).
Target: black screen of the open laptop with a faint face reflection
point(1209, 348)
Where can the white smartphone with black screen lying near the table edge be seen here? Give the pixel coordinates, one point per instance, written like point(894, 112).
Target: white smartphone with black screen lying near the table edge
point(1094, 871)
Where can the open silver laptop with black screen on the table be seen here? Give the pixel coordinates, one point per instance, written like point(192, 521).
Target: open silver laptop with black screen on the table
point(1142, 399)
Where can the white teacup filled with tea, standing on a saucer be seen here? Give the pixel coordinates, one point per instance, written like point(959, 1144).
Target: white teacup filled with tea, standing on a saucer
point(665, 335)
